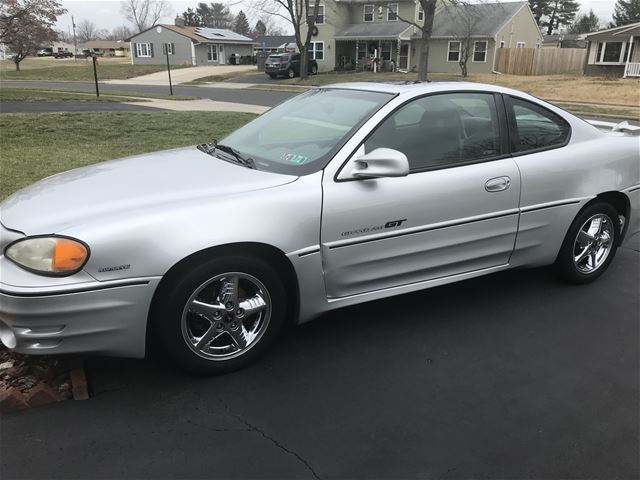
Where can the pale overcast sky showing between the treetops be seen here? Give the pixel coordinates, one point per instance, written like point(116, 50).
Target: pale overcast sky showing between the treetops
point(106, 13)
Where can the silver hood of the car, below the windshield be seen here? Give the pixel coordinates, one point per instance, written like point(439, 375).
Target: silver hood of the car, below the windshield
point(148, 181)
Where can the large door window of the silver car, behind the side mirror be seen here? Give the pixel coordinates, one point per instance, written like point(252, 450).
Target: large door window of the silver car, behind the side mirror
point(441, 130)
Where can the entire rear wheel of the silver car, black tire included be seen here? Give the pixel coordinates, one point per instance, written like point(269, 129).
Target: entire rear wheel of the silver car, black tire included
point(590, 244)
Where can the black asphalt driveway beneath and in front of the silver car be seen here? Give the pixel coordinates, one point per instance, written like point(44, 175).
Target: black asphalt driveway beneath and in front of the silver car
point(514, 375)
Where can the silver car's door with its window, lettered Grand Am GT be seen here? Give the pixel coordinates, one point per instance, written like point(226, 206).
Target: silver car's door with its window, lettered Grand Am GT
point(456, 212)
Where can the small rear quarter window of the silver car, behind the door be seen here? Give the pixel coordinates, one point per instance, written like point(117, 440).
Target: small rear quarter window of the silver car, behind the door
point(536, 127)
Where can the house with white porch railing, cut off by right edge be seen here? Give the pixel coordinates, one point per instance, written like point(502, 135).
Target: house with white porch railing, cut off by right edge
point(615, 51)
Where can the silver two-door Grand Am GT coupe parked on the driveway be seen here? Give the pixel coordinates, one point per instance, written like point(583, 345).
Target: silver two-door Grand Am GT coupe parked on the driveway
point(338, 196)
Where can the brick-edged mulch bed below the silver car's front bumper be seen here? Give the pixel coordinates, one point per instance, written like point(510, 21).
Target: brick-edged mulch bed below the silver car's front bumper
point(29, 381)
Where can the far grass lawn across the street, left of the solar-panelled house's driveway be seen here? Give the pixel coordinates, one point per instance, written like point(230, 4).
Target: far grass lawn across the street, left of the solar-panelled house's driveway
point(79, 70)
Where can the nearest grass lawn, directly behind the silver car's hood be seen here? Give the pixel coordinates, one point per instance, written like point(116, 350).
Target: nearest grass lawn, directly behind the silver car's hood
point(34, 146)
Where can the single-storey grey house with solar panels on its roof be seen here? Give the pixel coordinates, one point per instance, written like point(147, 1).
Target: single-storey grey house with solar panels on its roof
point(188, 45)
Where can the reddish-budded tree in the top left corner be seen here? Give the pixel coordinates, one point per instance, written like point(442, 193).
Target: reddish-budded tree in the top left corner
point(27, 25)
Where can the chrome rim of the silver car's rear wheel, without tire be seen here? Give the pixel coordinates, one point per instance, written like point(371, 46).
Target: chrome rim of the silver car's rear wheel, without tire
point(593, 243)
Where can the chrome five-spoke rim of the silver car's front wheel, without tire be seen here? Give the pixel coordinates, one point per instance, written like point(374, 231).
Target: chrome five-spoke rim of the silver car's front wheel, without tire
point(226, 316)
